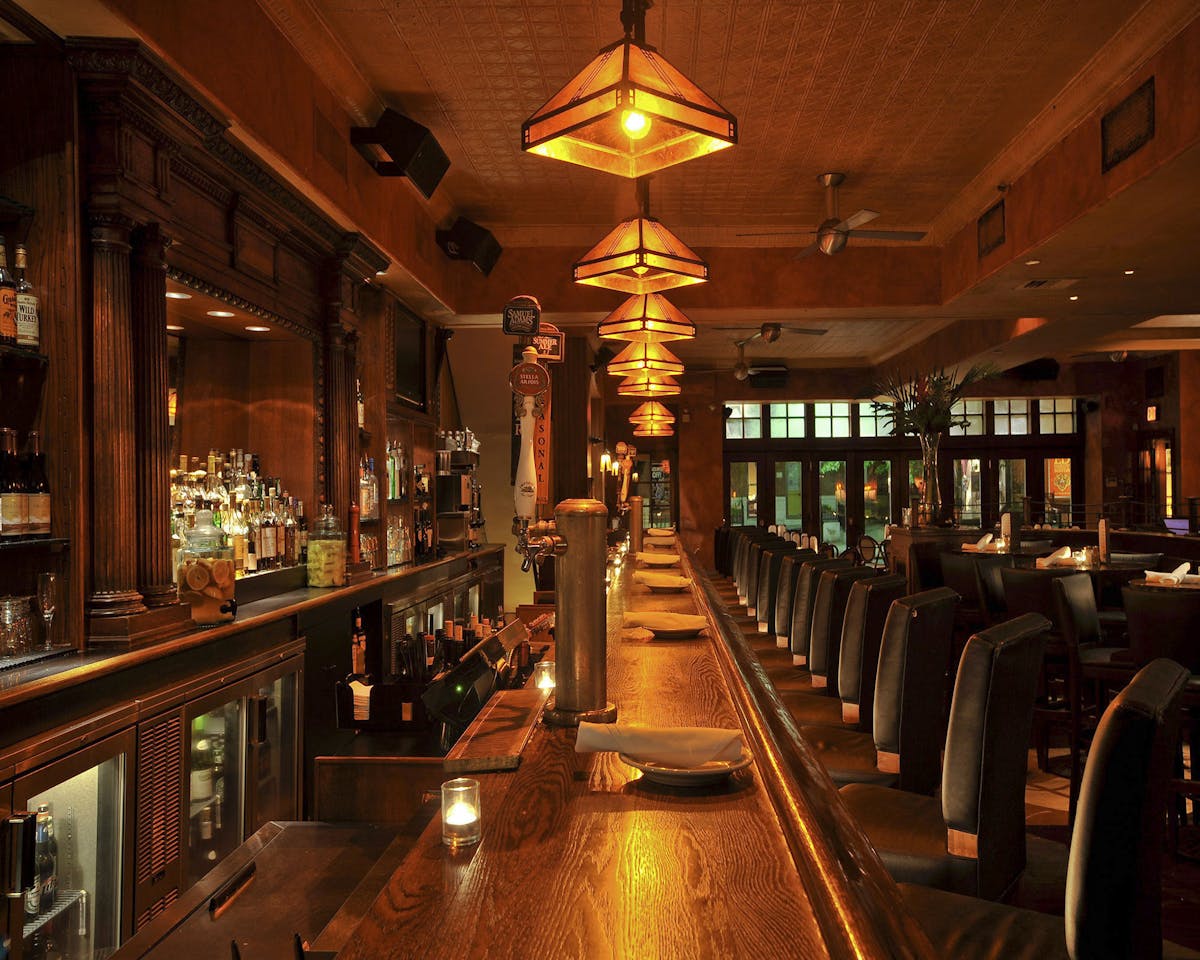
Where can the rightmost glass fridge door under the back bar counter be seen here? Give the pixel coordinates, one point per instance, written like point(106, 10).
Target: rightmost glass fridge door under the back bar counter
point(273, 748)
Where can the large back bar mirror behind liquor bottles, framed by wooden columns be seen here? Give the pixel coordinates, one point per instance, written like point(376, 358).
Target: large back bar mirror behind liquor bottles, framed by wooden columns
point(242, 388)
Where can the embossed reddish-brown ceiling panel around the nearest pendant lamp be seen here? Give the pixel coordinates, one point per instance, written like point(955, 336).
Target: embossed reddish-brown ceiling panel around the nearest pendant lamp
point(910, 99)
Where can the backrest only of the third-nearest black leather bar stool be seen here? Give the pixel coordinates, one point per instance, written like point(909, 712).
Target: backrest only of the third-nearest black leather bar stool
point(910, 687)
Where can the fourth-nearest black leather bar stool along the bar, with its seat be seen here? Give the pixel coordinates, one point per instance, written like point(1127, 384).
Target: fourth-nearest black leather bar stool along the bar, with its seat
point(862, 631)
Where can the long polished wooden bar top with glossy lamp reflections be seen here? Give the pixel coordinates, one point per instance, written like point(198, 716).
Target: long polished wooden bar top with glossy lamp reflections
point(583, 859)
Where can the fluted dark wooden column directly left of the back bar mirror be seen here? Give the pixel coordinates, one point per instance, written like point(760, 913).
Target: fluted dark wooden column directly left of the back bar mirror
point(151, 387)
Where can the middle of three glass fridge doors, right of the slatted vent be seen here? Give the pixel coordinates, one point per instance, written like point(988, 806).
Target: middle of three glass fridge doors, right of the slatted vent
point(214, 766)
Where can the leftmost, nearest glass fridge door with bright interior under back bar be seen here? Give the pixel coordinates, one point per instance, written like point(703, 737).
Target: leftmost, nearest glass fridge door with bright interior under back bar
point(76, 905)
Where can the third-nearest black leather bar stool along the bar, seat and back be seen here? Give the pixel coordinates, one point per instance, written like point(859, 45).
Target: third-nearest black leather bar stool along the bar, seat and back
point(904, 748)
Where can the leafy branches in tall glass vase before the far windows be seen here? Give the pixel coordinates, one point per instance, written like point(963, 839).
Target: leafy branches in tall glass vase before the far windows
point(923, 406)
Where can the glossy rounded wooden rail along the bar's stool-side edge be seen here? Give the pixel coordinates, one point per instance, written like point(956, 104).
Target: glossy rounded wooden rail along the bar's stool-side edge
point(857, 904)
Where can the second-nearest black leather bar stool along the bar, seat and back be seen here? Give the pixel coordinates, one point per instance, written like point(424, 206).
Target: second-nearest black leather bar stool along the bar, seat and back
point(971, 841)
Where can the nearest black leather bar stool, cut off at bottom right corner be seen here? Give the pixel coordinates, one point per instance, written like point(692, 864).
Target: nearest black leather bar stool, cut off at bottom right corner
point(1114, 875)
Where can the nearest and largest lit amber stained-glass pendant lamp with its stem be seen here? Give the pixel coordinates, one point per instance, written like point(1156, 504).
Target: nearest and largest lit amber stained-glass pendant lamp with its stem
point(629, 112)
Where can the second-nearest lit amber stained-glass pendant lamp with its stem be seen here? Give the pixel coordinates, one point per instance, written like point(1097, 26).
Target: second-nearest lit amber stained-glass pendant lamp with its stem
point(640, 256)
